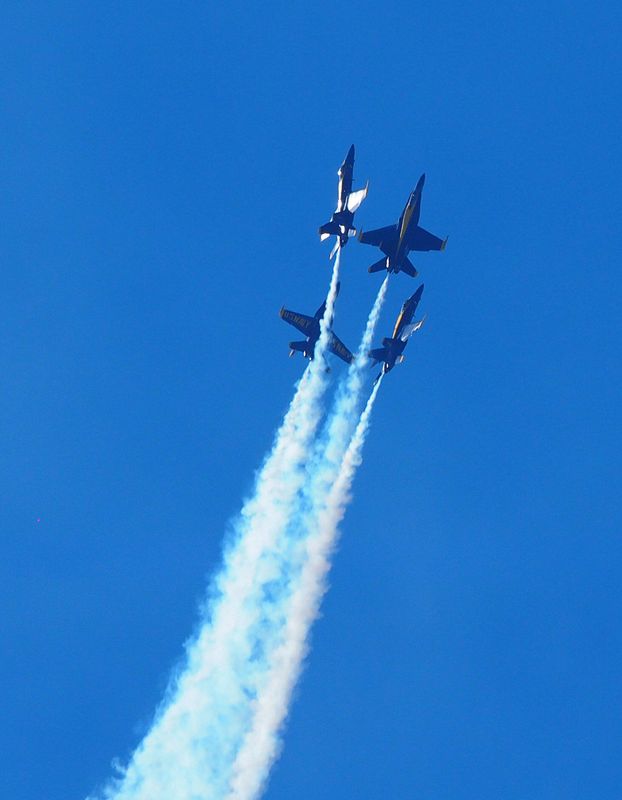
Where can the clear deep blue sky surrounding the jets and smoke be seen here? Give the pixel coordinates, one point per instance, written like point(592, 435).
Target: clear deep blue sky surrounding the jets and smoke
point(164, 170)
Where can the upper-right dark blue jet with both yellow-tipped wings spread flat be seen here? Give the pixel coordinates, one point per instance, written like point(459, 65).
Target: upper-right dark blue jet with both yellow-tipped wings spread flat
point(396, 241)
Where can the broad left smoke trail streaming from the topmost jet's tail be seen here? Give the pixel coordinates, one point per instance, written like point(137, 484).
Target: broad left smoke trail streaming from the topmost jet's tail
point(190, 749)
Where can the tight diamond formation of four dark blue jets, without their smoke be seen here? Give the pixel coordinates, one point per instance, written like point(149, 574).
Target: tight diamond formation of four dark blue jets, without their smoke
point(396, 242)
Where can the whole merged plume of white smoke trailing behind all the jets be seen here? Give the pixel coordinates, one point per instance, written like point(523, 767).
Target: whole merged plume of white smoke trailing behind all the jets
point(216, 733)
